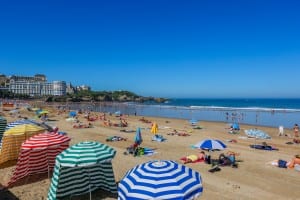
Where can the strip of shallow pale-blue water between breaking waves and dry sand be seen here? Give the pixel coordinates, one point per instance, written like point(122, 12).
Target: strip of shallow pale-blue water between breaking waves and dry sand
point(250, 117)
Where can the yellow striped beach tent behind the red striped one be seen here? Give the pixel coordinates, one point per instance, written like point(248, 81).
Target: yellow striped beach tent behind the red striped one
point(13, 139)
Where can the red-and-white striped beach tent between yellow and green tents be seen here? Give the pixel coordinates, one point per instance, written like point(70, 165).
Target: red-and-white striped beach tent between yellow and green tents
point(38, 154)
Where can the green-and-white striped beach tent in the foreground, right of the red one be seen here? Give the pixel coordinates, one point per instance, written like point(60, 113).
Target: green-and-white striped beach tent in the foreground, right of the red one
point(82, 168)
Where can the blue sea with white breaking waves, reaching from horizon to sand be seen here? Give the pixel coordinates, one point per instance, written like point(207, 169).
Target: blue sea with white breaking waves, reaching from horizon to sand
point(253, 111)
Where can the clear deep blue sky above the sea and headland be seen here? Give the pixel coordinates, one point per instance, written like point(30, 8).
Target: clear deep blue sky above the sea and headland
point(167, 48)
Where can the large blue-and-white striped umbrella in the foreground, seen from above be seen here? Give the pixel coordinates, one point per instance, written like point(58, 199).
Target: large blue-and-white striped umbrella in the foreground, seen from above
point(160, 180)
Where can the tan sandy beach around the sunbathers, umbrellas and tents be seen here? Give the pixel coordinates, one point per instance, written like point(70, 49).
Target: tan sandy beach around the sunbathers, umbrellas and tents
point(253, 179)
